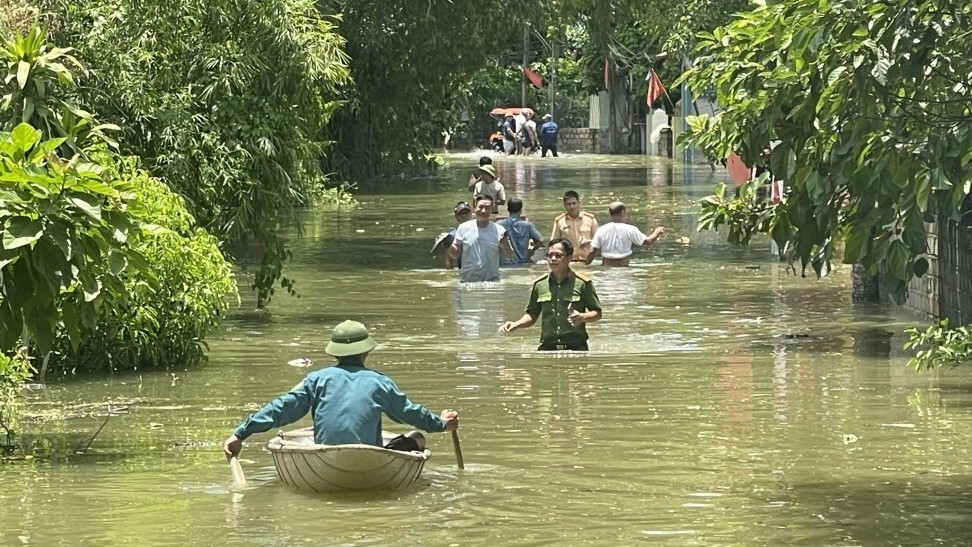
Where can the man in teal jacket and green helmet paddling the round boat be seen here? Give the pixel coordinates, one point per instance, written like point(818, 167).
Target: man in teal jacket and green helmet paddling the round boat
point(346, 401)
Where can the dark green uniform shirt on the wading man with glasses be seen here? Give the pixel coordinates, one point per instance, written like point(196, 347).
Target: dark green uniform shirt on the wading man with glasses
point(551, 301)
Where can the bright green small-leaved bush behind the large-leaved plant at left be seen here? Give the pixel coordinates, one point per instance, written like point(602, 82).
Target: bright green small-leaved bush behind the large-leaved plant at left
point(163, 323)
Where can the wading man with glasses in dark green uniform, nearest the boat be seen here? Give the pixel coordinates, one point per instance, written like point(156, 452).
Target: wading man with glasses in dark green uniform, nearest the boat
point(565, 300)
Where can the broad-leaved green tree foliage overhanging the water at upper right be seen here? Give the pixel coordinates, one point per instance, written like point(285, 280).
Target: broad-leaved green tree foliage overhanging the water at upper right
point(870, 105)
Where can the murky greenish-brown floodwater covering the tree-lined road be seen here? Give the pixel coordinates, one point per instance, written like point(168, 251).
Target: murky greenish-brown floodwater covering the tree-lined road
point(725, 401)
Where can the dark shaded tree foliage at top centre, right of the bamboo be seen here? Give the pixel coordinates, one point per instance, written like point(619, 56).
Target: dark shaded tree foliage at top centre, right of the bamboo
point(407, 58)
